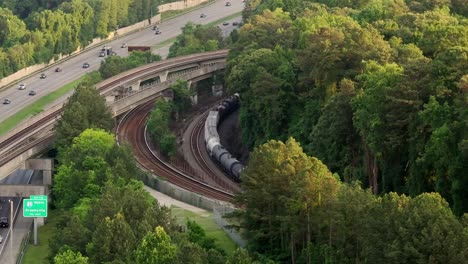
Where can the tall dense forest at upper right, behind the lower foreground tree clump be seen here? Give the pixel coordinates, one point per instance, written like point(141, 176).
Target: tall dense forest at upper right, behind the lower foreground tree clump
point(375, 89)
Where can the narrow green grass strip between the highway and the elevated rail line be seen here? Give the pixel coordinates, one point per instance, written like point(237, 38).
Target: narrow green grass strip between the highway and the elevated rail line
point(36, 107)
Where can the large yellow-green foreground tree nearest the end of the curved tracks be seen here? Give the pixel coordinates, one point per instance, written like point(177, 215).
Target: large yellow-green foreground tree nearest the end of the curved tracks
point(278, 200)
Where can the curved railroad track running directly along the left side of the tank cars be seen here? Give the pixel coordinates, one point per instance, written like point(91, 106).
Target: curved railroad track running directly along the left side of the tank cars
point(198, 149)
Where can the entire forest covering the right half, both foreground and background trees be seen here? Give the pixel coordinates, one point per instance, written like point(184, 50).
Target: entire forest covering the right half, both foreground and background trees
point(356, 112)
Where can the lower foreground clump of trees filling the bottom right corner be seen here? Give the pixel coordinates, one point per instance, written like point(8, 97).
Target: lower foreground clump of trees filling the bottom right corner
point(294, 210)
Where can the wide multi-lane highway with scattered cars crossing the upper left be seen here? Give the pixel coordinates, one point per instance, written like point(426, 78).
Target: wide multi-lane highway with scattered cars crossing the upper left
point(72, 68)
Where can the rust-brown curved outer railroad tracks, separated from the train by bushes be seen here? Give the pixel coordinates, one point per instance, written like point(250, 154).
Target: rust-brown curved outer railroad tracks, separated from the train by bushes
point(132, 129)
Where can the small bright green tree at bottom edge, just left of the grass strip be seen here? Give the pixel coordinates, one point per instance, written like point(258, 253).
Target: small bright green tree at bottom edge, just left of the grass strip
point(156, 247)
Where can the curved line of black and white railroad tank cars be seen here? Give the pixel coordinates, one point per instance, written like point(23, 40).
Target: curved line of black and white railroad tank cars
point(213, 144)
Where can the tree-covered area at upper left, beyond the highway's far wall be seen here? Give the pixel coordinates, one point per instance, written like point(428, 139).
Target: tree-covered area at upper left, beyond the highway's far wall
point(36, 31)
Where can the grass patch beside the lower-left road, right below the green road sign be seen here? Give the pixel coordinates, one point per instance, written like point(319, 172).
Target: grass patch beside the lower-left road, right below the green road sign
point(38, 254)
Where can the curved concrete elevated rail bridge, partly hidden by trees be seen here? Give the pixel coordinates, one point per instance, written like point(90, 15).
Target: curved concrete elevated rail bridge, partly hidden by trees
point(122, 92)
